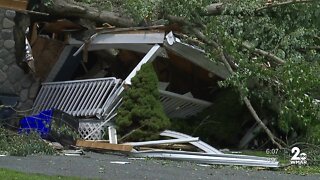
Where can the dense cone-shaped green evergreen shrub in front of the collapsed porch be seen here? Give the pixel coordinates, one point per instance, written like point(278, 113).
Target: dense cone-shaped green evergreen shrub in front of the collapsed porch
point(141, 113)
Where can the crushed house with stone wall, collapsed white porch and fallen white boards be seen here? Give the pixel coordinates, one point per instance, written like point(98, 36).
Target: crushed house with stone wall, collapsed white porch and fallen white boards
point(84, 74)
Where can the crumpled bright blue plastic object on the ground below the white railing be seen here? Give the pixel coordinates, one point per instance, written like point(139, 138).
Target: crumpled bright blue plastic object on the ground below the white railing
point(40, 123)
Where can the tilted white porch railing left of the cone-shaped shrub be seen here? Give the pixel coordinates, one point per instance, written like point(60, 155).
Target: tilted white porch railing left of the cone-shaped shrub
point(78, 98)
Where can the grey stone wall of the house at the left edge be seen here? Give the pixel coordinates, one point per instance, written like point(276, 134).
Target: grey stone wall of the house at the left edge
point(12, 78)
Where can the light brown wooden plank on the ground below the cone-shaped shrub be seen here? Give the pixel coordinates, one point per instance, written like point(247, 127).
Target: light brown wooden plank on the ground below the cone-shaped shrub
point(103, 145)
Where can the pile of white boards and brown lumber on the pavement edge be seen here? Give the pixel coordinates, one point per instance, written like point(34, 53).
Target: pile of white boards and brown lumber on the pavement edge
point(205, 155)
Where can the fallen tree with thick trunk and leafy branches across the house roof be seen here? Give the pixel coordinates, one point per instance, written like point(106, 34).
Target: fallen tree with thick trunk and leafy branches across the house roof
point(256, 40)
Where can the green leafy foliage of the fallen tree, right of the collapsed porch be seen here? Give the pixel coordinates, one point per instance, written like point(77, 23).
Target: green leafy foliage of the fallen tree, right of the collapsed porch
point(288, 30)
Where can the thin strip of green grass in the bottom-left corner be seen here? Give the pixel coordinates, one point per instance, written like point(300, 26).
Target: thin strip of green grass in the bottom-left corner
point(10, 174)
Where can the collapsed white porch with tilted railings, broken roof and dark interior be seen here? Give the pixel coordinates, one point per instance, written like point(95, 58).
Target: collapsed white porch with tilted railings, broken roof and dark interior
point(185, 74)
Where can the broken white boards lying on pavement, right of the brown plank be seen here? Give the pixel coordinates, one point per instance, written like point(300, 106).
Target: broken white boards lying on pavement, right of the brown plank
point(214, 157)
